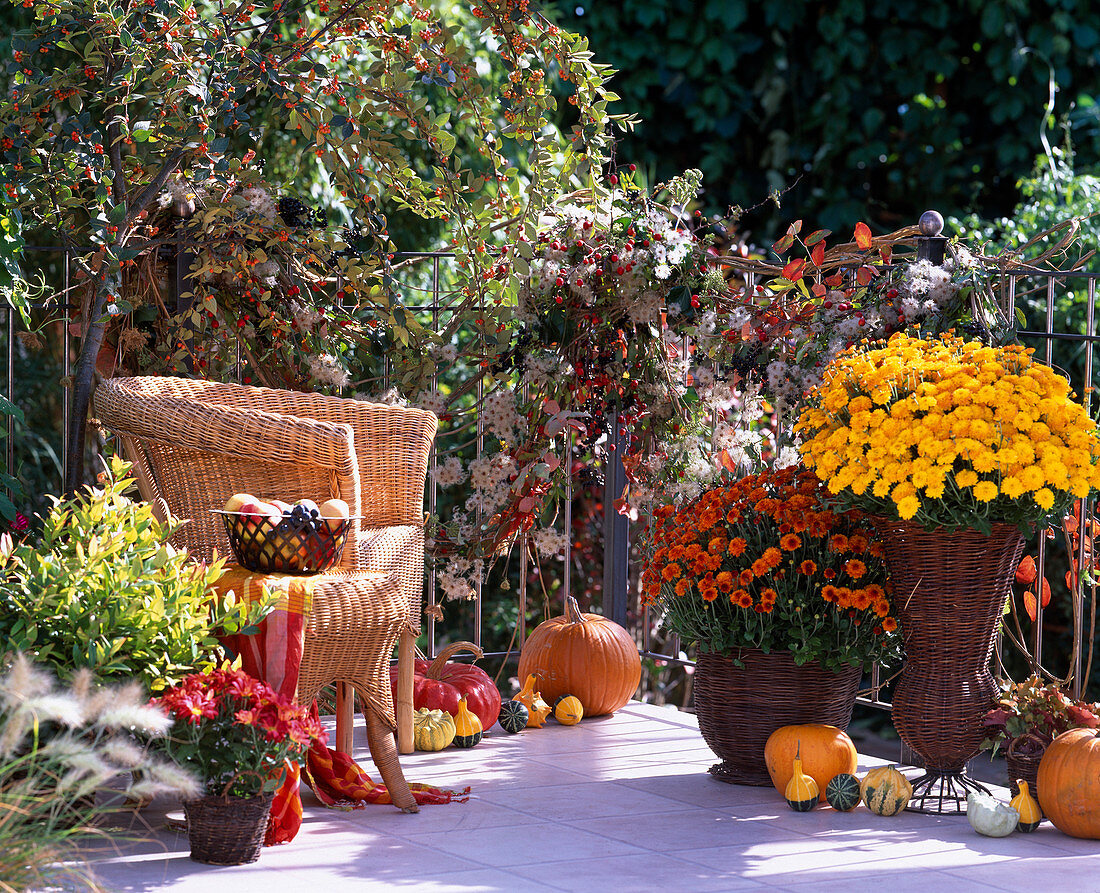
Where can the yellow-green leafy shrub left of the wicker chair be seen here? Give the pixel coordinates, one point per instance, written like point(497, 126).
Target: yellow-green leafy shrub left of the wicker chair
point(104, 590)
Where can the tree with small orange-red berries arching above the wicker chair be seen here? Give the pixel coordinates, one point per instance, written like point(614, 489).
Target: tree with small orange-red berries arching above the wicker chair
point(115, 135)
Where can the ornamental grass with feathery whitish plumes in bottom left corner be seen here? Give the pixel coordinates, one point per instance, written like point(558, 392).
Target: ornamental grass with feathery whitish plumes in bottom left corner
point(58, 746)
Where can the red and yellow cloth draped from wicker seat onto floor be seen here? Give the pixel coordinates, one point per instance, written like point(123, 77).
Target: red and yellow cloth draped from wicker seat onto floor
point(274, 656)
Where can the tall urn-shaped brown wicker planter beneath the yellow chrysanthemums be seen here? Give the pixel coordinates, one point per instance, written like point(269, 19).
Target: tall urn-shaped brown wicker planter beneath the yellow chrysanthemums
point(951, 589)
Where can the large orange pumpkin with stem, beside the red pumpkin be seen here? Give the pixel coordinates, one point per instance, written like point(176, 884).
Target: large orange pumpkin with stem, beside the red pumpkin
point(586, 656)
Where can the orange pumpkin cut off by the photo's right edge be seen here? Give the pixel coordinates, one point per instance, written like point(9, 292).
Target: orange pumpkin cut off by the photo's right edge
point(1070, 784)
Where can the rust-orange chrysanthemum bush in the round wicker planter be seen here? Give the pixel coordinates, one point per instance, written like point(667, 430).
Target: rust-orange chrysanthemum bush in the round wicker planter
point(765, 563)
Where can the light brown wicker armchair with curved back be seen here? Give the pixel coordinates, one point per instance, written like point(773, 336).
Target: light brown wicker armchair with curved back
point(195, 444)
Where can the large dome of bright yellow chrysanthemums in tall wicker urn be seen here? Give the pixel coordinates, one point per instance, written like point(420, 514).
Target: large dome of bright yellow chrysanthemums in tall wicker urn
point(950, 434)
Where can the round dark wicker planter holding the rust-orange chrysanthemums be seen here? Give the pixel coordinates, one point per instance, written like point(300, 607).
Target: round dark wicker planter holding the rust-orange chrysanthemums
point(740, 708)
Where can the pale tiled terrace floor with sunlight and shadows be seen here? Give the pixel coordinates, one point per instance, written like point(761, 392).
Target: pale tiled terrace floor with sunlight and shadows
point(621, 803)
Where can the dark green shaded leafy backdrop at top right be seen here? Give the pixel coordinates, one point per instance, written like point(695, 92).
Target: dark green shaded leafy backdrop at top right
point(875, 111)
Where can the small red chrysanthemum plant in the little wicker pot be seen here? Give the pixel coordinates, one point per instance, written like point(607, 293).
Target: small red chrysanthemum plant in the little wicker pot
point(235, 732)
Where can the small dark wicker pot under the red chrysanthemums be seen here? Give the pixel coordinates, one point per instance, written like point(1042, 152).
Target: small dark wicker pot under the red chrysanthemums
point(227, 831)
